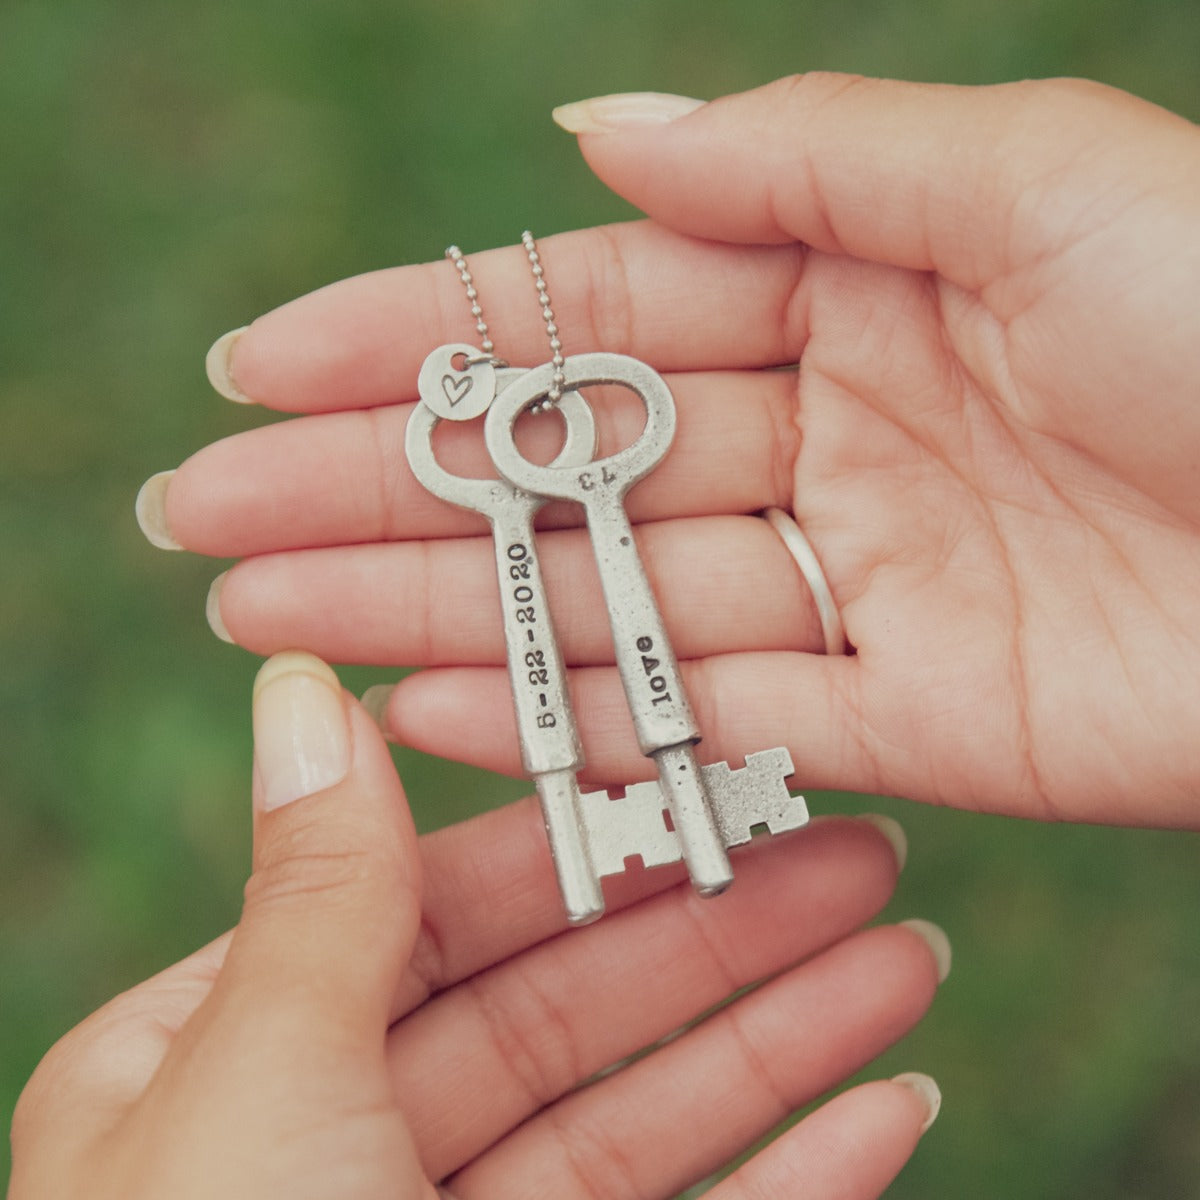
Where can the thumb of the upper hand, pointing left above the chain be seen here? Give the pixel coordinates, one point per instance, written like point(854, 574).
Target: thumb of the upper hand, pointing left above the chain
point(931, 178)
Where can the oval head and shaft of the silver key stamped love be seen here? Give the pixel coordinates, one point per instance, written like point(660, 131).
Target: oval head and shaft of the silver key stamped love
point(663, 718)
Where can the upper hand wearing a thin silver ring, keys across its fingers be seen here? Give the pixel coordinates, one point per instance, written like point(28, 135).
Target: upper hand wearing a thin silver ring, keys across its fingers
point(992, 442)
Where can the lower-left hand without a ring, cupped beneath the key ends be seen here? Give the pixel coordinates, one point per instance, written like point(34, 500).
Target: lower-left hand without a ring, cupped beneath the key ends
point(349, 1041)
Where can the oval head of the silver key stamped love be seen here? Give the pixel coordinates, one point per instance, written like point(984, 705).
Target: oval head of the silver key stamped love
point(613, 476)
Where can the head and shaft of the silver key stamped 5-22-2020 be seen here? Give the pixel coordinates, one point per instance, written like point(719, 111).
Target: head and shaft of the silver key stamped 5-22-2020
point(550, 745)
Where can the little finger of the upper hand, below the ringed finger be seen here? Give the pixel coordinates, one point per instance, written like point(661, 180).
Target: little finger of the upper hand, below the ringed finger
point(807, 703)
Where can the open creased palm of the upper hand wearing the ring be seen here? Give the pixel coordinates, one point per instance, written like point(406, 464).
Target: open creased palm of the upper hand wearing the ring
point(1007, 531)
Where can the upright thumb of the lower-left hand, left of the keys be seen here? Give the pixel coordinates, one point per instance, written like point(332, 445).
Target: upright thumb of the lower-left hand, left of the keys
point(334, 904)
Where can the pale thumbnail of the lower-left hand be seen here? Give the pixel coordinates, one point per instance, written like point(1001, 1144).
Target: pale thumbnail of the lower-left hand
point(302, 735)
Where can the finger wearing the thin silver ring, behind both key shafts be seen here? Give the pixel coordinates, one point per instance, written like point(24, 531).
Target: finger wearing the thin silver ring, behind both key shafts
point(723, 584)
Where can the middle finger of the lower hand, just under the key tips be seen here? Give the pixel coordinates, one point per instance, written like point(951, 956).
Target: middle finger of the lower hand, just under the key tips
point(532, 1034)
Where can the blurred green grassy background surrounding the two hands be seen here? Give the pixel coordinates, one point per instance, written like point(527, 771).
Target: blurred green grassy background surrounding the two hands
point(169, 172)
